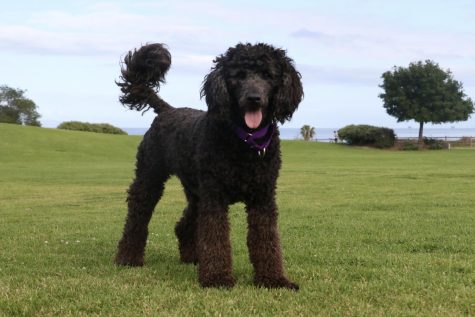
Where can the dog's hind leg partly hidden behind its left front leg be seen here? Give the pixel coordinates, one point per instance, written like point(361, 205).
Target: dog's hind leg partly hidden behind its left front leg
point(185, 231)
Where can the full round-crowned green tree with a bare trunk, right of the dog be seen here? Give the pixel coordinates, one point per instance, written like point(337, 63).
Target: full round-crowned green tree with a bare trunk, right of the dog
point(425, 93)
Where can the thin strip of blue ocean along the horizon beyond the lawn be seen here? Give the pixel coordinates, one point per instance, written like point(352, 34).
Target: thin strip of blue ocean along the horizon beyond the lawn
point(327, 134)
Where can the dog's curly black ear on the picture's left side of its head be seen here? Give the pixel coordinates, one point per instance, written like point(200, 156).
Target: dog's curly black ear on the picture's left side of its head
point(216, 93)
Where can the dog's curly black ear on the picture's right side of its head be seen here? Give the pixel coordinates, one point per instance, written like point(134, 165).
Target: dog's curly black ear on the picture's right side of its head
point(289, 93)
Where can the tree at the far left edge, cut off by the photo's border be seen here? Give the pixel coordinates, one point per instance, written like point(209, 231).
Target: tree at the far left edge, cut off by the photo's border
point(16, 108)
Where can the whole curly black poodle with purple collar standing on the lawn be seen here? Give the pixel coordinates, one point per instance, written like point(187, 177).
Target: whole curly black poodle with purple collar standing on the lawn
point(229, 154)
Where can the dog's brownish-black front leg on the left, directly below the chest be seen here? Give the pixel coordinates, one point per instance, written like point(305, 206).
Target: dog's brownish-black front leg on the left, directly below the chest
point(214, 246)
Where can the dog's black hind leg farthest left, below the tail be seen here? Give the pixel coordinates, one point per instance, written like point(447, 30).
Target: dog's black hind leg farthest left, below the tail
point(143, 195)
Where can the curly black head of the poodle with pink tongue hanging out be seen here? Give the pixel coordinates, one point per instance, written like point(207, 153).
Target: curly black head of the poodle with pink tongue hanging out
point(252, 86)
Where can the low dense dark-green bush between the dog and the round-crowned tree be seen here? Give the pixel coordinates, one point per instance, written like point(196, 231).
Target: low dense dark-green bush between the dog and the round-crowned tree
point(367, 135)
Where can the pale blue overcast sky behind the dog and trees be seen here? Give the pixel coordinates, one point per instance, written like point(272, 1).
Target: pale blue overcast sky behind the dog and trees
point(67, 54)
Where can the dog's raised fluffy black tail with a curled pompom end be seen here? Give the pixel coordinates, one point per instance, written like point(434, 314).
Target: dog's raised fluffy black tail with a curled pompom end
point(142, 72)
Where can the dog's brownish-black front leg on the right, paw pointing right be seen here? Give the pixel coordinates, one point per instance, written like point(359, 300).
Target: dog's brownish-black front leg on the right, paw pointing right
point(264, 247)
